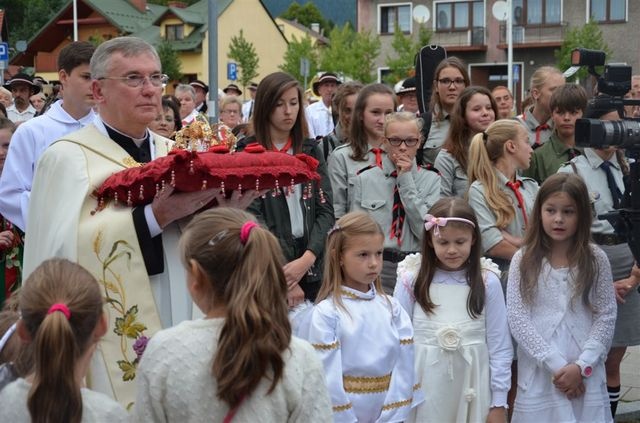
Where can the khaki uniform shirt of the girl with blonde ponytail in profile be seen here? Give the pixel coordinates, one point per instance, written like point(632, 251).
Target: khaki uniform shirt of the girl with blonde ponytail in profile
point(491, 234)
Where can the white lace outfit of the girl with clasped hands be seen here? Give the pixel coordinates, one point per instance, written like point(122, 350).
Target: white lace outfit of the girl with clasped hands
point(554, 332)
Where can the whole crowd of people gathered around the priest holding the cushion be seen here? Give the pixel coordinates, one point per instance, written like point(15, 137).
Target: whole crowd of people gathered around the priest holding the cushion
point(451, 266)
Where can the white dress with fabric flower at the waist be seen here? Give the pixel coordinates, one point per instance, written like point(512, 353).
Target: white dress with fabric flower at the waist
point(464, 363)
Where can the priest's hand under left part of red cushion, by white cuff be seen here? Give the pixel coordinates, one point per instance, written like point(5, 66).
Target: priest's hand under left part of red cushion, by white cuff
point(170, 205)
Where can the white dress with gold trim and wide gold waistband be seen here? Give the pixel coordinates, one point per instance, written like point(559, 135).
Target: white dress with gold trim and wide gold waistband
point(367, 353)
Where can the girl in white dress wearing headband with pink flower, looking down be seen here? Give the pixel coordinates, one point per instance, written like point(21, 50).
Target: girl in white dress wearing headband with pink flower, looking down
point(463, 347)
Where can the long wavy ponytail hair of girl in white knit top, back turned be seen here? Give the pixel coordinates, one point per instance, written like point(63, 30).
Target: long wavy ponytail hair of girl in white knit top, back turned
point(248, 279)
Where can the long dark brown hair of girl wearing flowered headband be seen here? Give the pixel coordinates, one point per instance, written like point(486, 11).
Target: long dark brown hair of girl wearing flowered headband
point(451, 207)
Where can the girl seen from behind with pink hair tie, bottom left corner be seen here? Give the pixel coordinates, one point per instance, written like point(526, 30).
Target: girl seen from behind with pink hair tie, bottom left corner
point(62, 318)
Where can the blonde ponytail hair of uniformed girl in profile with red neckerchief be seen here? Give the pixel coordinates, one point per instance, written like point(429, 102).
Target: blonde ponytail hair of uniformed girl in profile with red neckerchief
point(486, 148)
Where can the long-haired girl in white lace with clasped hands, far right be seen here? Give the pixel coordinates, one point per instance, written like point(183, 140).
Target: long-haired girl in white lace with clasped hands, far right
point(561, 309)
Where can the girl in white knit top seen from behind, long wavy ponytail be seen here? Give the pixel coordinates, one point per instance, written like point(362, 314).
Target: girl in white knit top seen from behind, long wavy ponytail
point(240, 362)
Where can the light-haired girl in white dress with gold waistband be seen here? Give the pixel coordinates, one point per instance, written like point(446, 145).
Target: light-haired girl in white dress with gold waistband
point(364, 337)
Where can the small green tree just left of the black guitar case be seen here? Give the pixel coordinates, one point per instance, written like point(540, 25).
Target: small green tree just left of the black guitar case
point(402, 65)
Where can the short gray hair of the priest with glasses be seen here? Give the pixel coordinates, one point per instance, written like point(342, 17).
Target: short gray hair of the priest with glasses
point(127, 46)
